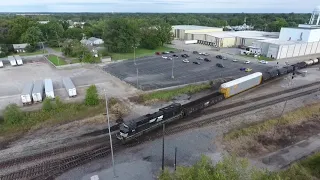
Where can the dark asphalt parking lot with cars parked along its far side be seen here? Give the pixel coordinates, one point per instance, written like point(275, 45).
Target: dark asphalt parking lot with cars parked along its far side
point(155, 72)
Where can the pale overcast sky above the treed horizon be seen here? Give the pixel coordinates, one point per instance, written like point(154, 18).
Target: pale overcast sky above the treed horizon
point(196, 6)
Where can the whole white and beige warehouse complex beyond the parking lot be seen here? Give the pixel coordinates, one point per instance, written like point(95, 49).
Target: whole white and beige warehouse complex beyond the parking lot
point(289, 42)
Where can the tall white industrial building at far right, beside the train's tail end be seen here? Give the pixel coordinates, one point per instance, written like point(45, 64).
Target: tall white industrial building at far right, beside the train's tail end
point(293, 42)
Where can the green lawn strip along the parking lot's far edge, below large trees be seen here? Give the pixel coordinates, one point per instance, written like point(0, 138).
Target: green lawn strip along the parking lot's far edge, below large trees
point(139, 53)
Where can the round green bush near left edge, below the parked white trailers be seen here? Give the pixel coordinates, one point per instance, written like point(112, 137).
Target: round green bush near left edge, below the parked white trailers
point(12, 114)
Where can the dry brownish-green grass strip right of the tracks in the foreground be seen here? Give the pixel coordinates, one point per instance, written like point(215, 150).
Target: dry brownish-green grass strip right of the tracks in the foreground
point(274, 134)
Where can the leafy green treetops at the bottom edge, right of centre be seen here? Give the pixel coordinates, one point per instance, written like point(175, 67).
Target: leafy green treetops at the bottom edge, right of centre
point(227, 169)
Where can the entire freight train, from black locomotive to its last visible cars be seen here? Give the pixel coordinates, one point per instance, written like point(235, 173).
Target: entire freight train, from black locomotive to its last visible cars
point(134, 128)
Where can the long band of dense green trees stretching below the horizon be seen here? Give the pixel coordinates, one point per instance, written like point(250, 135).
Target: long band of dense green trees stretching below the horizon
point(123, 31)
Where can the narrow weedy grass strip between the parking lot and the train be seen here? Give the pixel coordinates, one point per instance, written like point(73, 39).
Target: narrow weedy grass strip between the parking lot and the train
point(167, 95)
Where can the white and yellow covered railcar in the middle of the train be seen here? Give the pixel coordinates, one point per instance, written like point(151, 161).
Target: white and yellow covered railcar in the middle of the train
point(242, 84)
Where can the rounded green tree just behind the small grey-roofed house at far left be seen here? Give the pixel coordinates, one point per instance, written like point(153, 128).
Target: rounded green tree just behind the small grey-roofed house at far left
point(32, 36)
